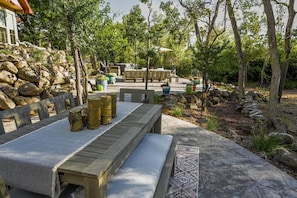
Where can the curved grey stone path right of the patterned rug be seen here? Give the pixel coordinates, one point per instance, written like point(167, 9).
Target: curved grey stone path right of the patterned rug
point(228, 170)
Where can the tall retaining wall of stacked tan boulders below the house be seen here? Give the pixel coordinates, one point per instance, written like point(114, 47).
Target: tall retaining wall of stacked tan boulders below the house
point(28, 74)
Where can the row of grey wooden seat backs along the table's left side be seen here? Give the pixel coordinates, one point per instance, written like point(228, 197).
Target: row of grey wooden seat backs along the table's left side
point(21, 116)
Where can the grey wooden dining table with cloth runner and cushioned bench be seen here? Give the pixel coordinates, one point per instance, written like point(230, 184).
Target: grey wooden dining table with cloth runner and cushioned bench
point(93, 159)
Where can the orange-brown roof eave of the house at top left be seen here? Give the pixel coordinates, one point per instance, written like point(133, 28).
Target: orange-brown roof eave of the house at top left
point(22, 7)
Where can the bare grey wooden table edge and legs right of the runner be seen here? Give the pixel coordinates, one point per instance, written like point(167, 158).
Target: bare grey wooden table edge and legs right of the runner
point(94, 165)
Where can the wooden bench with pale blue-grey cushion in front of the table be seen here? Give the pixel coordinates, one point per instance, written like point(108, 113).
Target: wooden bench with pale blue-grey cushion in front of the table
point(141, 174)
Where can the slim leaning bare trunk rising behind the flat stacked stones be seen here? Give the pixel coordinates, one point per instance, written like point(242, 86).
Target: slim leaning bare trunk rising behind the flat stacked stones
point(242, 69)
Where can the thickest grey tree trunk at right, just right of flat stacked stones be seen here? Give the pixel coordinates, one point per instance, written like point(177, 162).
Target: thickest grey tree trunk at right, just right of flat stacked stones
point(275, 63)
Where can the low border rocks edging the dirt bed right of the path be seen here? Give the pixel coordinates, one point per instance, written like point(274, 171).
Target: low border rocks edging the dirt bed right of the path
point(248, 105)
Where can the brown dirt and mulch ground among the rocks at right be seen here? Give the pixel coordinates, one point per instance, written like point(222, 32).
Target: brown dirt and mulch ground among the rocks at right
point(233, 124)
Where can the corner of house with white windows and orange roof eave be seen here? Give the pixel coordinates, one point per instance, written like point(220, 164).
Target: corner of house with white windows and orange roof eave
point(8, 25)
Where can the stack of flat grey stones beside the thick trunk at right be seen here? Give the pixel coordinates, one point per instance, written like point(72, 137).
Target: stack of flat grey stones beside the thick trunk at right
point(248, 105)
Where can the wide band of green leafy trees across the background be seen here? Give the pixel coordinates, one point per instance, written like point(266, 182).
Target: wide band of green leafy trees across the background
point(199, 33)
